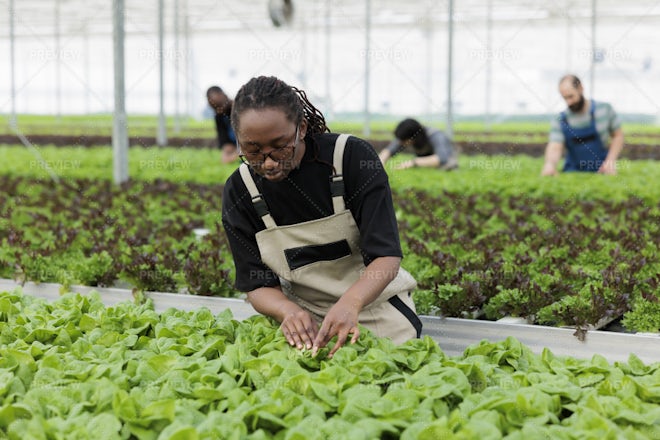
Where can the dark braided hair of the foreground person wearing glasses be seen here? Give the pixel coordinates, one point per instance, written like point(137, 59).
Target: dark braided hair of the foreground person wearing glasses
point(270, 92)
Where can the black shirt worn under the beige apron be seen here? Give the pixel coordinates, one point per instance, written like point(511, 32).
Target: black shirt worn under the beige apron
point(305, 195)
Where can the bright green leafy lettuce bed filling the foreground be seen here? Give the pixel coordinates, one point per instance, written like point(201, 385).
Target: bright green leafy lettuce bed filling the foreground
point(74, 368)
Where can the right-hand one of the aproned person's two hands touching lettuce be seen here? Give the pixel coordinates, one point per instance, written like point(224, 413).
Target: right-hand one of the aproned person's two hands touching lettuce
point(341, 321)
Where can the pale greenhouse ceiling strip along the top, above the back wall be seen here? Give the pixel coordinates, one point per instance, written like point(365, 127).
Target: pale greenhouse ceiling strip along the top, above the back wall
point(44, 18)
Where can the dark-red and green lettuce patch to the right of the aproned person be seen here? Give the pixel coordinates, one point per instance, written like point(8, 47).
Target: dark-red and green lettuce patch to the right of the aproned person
point(567, 262)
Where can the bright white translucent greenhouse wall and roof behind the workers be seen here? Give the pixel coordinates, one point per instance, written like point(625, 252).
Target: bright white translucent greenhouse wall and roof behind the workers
point(421, 57)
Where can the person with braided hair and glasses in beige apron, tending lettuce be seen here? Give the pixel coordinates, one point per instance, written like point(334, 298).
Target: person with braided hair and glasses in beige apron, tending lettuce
point(311, 225)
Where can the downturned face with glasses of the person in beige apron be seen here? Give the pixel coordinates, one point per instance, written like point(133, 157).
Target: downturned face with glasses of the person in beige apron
point(270, 143)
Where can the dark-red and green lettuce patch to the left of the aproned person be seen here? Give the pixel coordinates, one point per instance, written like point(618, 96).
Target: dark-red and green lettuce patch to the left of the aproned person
point(88, 232)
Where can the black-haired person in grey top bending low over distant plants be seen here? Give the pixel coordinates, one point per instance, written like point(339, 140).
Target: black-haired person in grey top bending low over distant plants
point(432, 147)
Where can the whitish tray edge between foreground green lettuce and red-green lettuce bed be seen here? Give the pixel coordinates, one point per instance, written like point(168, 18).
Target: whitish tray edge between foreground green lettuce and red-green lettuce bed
point(453, 335)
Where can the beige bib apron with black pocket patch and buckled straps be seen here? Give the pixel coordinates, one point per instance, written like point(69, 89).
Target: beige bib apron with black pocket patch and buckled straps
point(318, 260)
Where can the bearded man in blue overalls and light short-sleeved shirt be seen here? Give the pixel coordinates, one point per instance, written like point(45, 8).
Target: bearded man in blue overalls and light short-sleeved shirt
point(588, 131)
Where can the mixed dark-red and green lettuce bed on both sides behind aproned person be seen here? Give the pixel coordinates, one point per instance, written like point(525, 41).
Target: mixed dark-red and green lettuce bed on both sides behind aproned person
point(571, 263)
